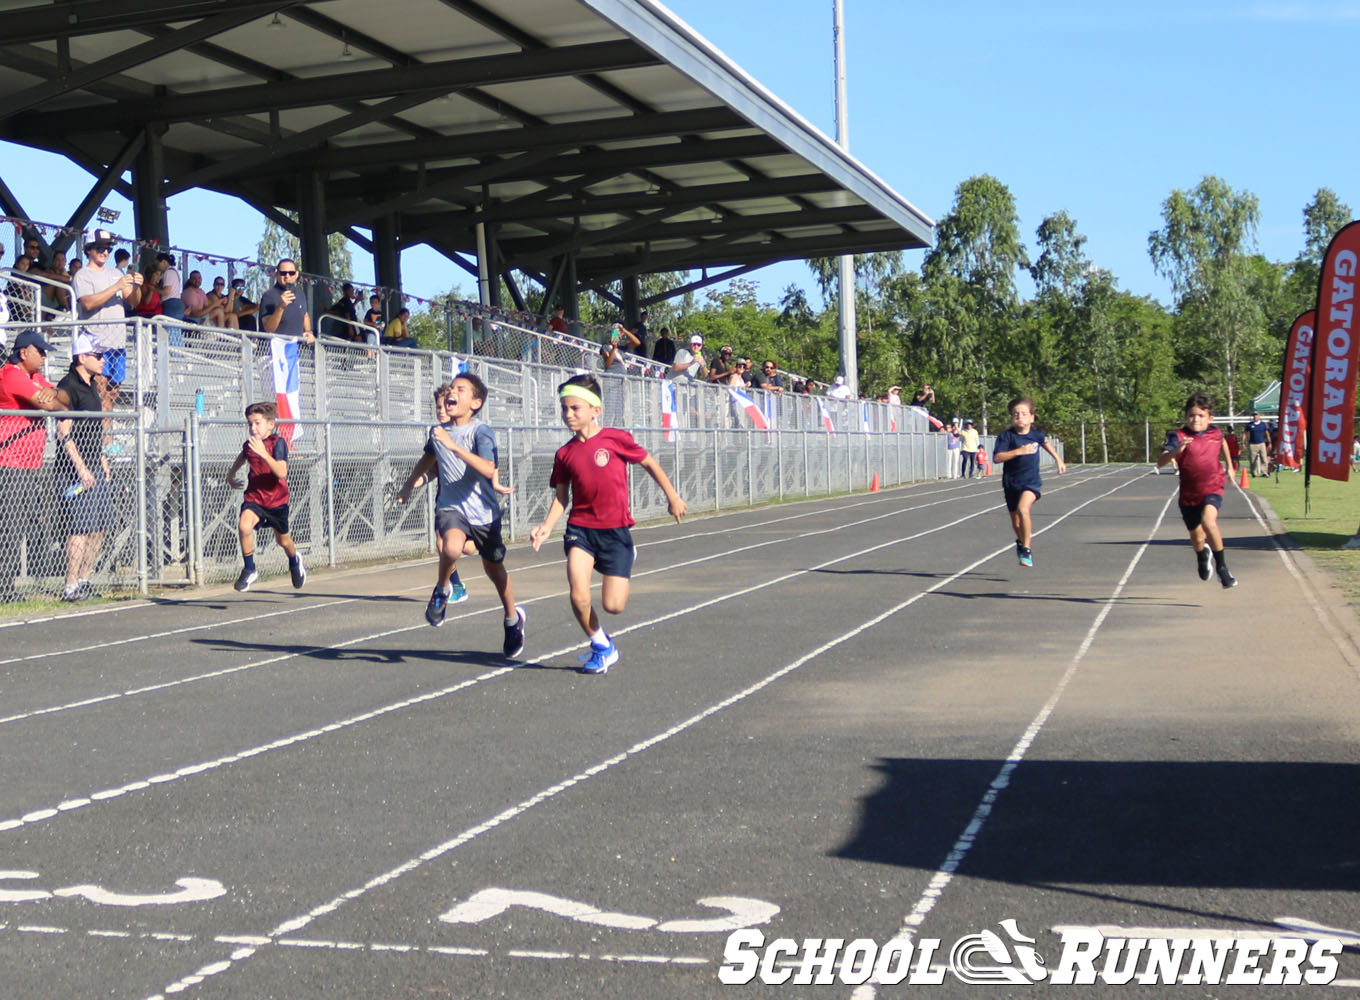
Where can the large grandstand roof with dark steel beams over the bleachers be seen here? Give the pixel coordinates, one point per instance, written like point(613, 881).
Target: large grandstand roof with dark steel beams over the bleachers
point(603, 129)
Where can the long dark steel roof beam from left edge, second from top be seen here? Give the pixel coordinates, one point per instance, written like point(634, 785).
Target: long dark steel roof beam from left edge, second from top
point(430, 78)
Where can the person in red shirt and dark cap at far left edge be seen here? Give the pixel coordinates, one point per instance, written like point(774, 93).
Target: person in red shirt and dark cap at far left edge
point(22, 444)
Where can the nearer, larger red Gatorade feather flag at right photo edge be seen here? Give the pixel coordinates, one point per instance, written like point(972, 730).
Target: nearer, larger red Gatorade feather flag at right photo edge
point(1332, 398)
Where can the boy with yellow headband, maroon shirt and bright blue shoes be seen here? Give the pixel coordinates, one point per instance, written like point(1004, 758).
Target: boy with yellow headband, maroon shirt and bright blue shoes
point(591, 471)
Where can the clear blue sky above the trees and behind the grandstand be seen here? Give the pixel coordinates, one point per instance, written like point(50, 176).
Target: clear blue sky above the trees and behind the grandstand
point(1097, 110)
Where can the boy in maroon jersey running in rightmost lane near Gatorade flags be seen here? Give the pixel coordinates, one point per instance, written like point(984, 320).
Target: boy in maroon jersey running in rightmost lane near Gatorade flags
point(1202, 455)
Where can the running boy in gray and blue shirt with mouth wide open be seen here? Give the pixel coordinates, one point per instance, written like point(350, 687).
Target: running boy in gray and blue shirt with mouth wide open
point(463, 455)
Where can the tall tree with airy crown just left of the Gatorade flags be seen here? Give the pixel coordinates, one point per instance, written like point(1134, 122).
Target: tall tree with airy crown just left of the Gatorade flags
point(1203, 251)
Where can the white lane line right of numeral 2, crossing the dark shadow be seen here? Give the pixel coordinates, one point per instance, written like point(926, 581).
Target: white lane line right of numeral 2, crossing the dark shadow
point(945, 874)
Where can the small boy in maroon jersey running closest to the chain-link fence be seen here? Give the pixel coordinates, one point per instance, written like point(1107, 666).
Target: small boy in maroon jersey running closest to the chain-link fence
point(267, 493)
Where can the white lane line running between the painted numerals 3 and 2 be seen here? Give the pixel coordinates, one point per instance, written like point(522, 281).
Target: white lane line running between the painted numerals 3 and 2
point(290, 927)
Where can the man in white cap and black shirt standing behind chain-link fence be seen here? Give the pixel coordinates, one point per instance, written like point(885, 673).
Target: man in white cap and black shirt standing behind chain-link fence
point(84, 467)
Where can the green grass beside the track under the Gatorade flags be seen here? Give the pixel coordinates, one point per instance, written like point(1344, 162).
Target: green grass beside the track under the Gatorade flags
point(1332, 520)
